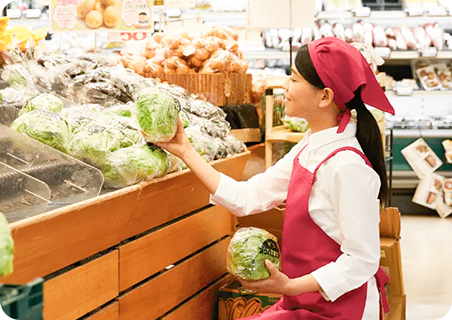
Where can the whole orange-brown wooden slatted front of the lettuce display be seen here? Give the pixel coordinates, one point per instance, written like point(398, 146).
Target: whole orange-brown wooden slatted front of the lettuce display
point(113, 257)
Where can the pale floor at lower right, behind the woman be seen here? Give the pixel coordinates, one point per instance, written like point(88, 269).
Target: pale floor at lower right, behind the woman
point(427, 267)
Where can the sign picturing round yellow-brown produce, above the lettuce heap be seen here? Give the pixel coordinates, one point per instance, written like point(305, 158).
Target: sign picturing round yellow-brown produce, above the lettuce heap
point(101, 15)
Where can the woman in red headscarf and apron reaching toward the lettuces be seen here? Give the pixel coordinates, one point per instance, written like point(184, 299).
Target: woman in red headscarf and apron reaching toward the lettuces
point(333, 181)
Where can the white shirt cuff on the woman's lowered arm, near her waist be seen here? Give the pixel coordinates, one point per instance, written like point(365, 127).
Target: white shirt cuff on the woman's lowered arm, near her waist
point(332, 282)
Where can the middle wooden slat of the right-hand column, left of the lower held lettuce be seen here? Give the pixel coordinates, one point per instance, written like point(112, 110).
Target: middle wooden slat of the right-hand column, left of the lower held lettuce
point(159, 295)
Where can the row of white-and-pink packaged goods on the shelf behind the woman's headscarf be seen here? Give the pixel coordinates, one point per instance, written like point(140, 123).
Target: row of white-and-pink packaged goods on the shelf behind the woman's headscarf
point(395, 38)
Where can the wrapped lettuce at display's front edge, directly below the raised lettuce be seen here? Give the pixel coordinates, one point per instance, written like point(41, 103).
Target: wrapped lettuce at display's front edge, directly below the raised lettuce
point(134, 164)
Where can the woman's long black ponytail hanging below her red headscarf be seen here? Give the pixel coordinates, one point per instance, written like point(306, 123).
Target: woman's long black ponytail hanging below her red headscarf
point(369, 137)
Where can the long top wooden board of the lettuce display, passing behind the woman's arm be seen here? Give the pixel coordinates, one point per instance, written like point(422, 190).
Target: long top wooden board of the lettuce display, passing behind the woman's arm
point(53, 240)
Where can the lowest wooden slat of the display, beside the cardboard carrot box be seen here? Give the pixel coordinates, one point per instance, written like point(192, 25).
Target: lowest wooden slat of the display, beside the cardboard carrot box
point(202, 306)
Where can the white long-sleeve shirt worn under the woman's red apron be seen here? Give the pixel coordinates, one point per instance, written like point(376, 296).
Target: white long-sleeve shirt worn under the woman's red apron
point(344, 203)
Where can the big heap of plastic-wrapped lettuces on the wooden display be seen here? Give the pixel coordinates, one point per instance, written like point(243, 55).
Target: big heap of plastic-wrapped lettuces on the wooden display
point(72, 105)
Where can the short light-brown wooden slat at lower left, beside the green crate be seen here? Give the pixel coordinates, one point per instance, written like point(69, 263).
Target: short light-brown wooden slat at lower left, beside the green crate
point(83, 289)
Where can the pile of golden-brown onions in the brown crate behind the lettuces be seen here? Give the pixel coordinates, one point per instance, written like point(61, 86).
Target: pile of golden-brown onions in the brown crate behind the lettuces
point(216, 50)
